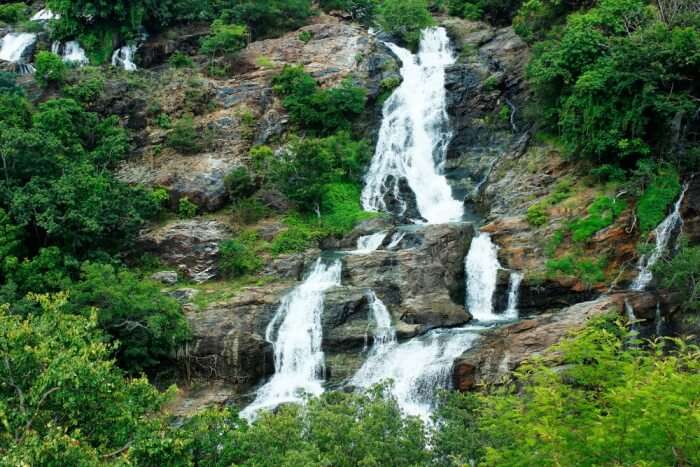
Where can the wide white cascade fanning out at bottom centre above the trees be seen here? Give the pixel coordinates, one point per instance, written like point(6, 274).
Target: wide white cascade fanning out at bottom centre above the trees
point(418, 368)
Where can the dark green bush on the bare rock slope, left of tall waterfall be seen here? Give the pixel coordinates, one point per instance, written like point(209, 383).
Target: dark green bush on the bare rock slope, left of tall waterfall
point(323, 111)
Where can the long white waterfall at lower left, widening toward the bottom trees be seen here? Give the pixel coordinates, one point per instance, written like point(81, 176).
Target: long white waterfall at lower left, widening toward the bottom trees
point(295, 333)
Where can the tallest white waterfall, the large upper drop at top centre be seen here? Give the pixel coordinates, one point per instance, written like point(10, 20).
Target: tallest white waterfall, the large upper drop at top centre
point(414, 135)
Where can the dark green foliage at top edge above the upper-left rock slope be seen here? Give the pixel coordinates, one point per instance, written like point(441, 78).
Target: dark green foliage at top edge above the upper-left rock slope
point(271, 17)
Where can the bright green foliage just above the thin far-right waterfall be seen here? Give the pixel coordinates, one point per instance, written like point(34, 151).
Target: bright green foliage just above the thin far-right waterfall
point(662, 188)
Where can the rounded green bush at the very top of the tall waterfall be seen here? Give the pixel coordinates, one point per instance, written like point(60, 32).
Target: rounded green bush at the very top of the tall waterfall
point(405, 19)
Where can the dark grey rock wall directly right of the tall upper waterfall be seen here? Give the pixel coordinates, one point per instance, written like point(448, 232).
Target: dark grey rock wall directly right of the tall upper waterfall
point(485, 90)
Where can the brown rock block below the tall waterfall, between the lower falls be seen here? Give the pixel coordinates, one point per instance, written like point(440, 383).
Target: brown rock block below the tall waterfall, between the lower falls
point(422, 281)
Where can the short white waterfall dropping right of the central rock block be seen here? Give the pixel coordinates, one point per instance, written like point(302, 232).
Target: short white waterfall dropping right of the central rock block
point(481, 266)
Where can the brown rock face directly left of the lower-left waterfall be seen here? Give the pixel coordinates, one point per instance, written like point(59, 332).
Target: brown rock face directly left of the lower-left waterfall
point(228, 339)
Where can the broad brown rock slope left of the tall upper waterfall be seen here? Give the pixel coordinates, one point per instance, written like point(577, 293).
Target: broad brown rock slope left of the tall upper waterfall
point(235, 112)
